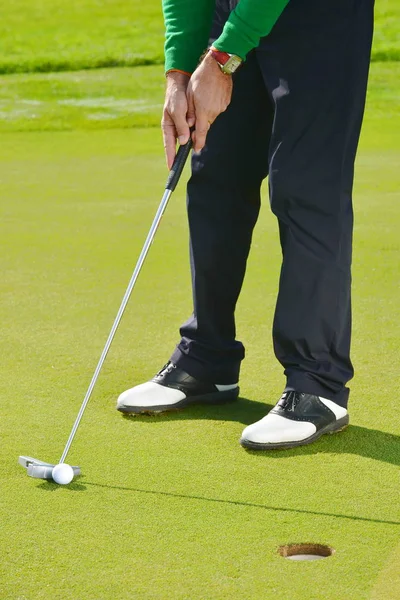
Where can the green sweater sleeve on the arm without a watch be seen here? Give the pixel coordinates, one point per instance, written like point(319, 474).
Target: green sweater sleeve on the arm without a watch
point(188, 24)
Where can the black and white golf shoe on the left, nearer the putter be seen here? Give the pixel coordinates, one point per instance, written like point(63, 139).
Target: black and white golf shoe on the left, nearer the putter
point(172, 389)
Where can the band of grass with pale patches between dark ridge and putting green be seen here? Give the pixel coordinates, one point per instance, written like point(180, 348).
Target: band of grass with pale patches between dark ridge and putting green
point(130, 97)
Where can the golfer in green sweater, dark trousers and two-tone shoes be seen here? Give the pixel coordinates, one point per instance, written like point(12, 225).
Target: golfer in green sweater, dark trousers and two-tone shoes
point(279, 92)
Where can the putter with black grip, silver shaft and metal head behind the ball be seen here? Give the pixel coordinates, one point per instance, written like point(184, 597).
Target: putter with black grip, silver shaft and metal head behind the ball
point(42, 470)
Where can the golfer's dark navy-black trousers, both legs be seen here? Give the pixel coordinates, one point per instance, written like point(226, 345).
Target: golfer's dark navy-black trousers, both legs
point(295, 114)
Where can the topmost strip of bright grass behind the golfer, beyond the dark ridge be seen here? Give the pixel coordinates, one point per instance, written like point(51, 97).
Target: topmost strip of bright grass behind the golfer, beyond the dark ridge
point(65, 35)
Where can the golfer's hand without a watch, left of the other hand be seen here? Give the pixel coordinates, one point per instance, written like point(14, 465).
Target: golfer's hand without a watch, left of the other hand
point(174, 124)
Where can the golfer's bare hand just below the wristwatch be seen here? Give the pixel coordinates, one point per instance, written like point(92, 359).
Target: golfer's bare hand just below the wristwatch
point(209, 94)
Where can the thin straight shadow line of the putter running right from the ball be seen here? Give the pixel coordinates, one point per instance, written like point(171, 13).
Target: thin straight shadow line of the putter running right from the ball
point(240, 503)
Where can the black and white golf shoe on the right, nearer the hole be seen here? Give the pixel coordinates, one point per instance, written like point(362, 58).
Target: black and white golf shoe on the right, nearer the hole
point(296, 420)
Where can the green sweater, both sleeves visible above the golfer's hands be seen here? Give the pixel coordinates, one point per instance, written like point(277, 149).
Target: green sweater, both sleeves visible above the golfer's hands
point(188, 25)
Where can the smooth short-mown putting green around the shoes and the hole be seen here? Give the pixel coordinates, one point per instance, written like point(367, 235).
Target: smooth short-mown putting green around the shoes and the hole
point(172, 507)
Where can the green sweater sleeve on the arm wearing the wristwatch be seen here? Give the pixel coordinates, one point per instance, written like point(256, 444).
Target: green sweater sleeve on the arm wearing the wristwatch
point(247, 24)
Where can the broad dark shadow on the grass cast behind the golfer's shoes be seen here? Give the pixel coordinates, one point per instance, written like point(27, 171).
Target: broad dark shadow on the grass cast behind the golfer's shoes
point(371, 443)
